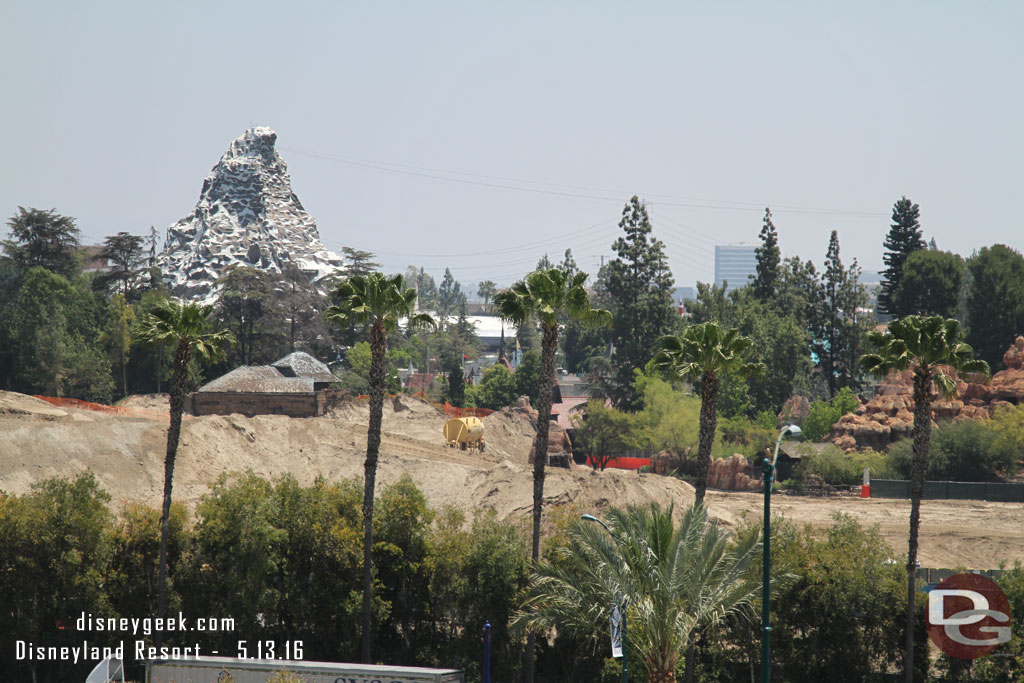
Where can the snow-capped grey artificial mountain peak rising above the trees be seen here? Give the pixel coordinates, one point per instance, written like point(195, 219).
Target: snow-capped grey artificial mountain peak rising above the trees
point(247, 216)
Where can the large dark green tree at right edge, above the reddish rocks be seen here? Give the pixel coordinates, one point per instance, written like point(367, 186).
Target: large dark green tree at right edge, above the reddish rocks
point(995, 302)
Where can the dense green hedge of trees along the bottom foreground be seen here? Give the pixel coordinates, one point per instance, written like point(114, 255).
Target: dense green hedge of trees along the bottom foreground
point(283, 561)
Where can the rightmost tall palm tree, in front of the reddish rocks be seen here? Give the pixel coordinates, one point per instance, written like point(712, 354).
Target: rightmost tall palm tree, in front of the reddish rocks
point(929, 348)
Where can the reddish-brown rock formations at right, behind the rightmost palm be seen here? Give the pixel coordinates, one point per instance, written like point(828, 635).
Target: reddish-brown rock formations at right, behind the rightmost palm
point(889, 416)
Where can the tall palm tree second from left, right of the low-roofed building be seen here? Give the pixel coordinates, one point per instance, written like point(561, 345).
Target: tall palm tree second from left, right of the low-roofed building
point(379, 303)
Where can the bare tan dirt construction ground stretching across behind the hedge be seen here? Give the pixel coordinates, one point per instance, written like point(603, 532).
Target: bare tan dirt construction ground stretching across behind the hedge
point(124, 448)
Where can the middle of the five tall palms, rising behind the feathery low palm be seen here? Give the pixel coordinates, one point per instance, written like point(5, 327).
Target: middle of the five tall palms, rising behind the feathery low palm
point(546, 296)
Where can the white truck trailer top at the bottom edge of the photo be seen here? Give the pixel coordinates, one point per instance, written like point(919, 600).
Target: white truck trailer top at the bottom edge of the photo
point(230, 670)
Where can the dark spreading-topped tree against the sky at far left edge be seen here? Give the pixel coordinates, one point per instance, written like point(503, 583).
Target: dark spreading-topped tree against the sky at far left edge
point(46, 239)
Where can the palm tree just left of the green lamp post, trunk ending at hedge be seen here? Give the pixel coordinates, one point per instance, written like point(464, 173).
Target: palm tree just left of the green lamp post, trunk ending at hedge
point(703, 354)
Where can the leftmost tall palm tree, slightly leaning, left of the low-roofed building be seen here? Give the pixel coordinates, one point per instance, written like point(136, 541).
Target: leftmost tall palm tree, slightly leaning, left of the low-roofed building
point(186, 327)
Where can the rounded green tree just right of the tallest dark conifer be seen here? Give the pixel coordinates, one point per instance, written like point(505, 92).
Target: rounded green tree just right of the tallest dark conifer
point(931, 283)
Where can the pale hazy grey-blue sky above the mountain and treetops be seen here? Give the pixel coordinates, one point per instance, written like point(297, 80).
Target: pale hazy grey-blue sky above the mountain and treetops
point(480, 136)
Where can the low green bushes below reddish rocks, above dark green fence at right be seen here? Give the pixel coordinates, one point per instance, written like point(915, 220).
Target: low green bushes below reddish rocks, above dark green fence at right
point(967, 451)
